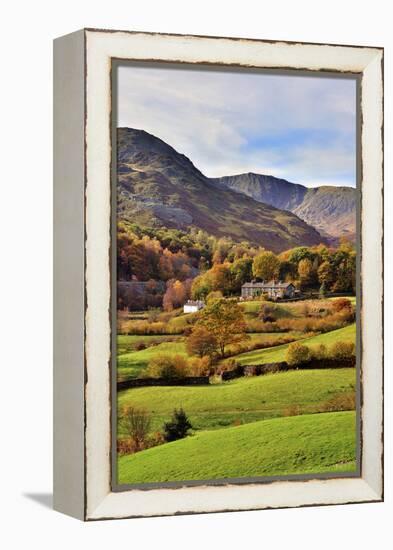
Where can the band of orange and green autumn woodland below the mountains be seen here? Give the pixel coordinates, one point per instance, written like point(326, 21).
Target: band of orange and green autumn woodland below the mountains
point(194, 264)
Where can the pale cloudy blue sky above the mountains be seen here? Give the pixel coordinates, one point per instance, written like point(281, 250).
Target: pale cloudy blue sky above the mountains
point(300, 128)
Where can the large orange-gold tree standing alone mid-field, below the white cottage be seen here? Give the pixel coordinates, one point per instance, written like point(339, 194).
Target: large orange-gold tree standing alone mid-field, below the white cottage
point(224, 319)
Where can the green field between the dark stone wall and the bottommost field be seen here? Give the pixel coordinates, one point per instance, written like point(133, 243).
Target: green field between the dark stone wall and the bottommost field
point(242, 400)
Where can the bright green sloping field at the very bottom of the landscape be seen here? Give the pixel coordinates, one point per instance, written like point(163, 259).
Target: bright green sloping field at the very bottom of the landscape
point(316, 443)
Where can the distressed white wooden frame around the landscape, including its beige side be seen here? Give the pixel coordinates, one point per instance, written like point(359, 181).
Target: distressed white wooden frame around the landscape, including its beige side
point(82, 382)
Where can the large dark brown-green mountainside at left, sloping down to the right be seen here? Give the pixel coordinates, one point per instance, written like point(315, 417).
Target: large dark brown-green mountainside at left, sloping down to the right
point(157, 186)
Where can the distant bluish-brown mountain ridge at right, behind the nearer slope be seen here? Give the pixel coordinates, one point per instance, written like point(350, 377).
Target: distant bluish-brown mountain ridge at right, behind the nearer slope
point(331, 210)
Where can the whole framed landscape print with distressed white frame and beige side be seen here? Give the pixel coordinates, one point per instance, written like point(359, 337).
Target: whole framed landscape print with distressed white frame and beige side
point(218, 274)
